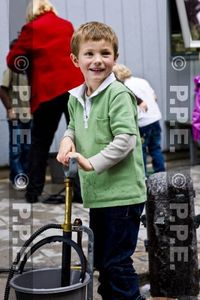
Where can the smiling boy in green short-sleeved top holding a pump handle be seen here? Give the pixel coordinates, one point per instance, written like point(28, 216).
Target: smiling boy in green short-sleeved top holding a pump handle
point(103, 130)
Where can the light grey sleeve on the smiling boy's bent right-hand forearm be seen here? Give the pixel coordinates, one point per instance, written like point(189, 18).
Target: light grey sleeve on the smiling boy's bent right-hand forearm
point(116, 151)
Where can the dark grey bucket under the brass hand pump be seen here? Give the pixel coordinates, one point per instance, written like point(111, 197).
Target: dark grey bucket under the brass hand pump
point(46, 284)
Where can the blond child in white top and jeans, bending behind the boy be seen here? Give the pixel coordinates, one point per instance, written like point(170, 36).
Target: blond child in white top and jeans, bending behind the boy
point(148, 120)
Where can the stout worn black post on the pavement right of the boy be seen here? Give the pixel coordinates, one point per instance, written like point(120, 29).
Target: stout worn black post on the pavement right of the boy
point(171, 231)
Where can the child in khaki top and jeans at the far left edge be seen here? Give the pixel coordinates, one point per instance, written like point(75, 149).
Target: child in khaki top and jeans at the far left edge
point(15, 96)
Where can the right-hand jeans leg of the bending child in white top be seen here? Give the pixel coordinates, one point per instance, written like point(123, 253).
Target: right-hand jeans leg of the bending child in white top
point(154, 147)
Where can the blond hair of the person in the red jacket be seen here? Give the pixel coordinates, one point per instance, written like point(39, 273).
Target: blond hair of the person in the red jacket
point(36, 8)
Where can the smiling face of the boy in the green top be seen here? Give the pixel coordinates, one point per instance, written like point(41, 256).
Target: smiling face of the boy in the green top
point(96, 60)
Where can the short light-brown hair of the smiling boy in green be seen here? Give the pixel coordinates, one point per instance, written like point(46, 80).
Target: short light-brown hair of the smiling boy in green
point(94, 31)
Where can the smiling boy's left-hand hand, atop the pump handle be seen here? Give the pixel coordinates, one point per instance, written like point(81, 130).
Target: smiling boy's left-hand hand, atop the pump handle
point(66, 146)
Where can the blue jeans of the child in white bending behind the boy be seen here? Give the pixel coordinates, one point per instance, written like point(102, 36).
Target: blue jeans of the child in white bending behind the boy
point(151, 139)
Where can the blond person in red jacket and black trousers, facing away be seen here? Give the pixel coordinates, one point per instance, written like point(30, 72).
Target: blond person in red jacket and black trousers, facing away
point(43, 52)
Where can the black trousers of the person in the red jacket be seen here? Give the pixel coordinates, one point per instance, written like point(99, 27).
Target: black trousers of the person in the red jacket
point(45, 123)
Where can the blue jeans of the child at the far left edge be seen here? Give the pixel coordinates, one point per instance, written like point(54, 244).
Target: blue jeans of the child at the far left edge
point(19, 146)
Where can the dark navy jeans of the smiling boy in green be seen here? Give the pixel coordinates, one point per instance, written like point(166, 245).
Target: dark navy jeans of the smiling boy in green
point(115, 238)
